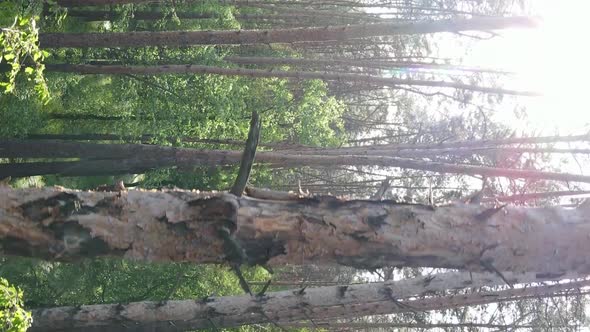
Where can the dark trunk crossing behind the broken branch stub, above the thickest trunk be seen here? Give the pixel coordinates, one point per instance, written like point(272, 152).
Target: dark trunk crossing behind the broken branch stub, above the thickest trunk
point(141, 158)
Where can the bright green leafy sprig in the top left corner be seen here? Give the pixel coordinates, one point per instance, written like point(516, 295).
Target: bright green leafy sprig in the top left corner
point(19, 50)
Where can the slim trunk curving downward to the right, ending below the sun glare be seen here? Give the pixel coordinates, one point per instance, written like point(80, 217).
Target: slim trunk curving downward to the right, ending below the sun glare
point(327, 76)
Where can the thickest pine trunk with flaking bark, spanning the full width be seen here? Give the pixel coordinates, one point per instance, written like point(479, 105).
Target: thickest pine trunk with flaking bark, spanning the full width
point(184, 226)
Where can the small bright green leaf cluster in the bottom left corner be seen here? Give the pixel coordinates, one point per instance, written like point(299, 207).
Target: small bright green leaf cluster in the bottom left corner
point(13, 317)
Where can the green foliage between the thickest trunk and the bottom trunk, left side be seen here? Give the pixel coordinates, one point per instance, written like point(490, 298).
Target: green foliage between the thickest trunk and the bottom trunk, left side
point(50, 284)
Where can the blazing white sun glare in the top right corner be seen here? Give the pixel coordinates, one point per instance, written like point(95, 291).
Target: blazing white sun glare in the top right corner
point(553, 59)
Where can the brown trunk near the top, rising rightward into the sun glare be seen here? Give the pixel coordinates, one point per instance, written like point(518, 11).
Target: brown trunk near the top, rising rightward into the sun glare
point(186, 38)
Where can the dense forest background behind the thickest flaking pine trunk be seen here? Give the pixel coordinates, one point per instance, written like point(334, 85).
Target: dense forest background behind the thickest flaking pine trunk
point(346, 99)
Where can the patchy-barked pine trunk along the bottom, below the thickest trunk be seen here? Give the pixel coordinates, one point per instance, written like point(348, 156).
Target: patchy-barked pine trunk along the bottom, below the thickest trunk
point(279, 307)
